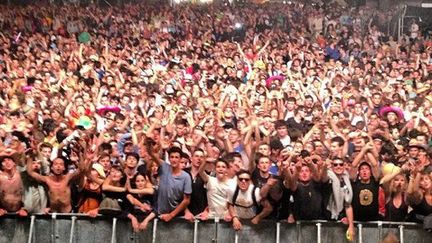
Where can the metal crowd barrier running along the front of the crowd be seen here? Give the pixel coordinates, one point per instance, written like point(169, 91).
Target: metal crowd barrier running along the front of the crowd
point(76, 228)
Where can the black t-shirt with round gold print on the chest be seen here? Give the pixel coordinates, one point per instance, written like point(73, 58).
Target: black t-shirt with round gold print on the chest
point(365, 200)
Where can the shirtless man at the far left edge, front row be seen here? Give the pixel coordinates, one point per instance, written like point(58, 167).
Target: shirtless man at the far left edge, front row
point(11, 188)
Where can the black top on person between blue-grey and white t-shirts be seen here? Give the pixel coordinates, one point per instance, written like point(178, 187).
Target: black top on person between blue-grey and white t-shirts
point(198, 200)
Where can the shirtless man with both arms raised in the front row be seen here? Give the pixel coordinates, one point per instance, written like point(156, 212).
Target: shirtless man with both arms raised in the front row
point(58, 184)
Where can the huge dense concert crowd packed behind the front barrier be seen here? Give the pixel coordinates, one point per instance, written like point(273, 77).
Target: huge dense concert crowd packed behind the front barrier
point(289, 111)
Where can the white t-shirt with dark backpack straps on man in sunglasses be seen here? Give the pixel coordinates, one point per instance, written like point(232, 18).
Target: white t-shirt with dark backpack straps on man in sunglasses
point(244, 206)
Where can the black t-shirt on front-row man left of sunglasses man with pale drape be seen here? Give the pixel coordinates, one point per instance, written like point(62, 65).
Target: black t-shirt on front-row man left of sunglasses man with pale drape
point(308, 201)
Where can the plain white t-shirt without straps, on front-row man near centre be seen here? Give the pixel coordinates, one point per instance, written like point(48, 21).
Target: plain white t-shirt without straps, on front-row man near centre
point(217, 195)
